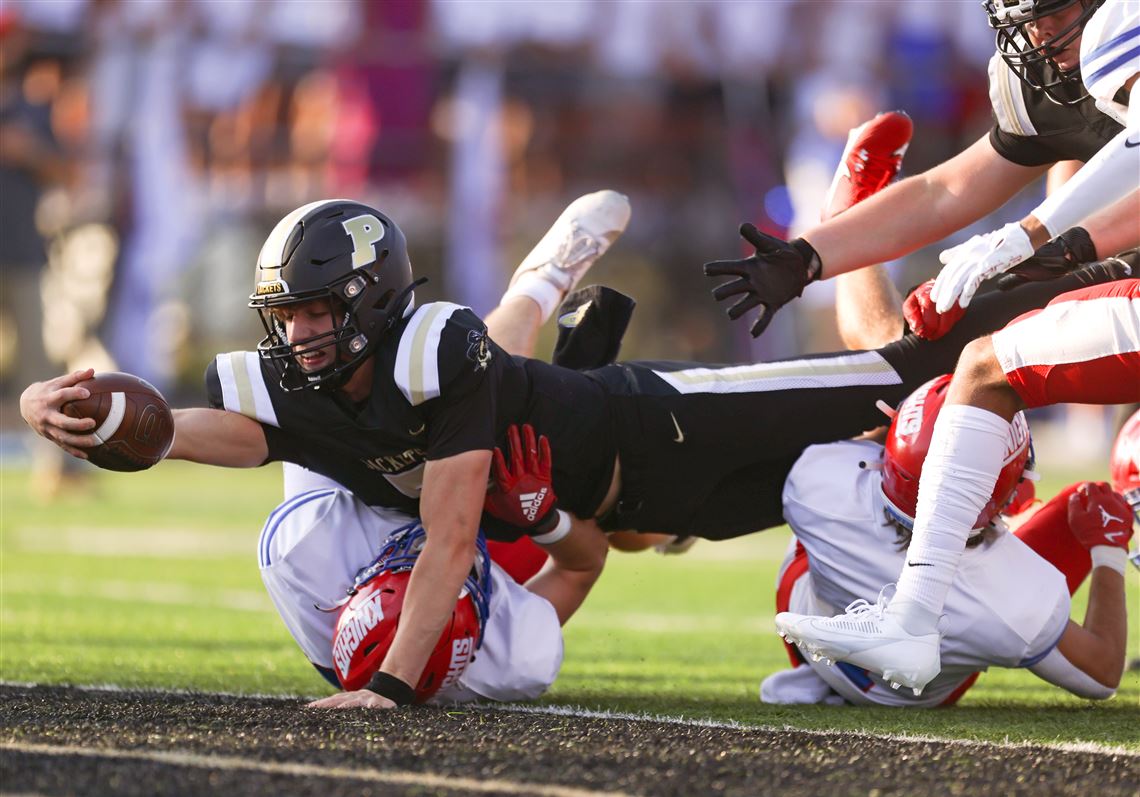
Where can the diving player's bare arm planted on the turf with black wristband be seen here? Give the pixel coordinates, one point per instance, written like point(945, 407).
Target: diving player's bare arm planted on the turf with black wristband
point(451, 506)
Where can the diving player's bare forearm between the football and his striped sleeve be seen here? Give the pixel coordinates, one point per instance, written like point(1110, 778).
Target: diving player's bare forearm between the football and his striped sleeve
point(218, 437)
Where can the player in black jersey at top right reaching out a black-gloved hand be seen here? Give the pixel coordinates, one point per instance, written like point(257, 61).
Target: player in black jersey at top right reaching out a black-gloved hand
point(1043, 116)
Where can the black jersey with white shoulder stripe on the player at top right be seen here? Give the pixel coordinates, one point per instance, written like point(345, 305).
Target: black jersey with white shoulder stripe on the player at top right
point(1030, 129)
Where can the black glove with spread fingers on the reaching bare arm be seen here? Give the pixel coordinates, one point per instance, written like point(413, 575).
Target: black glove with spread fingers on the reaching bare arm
point(777, 274)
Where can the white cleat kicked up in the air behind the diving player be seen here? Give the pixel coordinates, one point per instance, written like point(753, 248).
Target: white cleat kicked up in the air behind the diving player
point(582, 235)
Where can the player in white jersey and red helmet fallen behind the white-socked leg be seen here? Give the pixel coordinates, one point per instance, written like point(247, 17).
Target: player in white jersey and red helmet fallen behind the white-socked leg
point(852, 508)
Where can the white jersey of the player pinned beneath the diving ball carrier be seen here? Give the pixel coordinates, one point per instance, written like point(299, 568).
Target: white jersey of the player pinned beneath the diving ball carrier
point(315, 543)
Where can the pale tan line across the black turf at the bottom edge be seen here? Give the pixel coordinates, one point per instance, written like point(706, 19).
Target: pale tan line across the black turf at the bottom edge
point(233, 763)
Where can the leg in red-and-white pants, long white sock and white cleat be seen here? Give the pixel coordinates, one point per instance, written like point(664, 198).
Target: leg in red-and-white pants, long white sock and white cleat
point(1085, 347)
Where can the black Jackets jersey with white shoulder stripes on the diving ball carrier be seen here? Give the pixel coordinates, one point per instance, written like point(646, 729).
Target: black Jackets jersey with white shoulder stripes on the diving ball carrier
point(441, 388)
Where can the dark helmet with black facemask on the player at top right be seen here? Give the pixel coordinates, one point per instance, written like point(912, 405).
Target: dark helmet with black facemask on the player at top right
point(1036, 66)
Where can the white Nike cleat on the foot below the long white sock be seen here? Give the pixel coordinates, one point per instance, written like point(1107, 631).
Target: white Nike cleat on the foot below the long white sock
point(867, 637)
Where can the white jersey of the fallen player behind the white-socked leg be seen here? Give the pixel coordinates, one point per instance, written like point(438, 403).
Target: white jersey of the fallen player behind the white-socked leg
point(1007, 607)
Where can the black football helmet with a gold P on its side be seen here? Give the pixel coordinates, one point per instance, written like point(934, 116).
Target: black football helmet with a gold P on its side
point(346, 254)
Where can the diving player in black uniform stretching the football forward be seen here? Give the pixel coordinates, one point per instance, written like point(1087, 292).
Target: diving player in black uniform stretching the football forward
point(404, 406)
